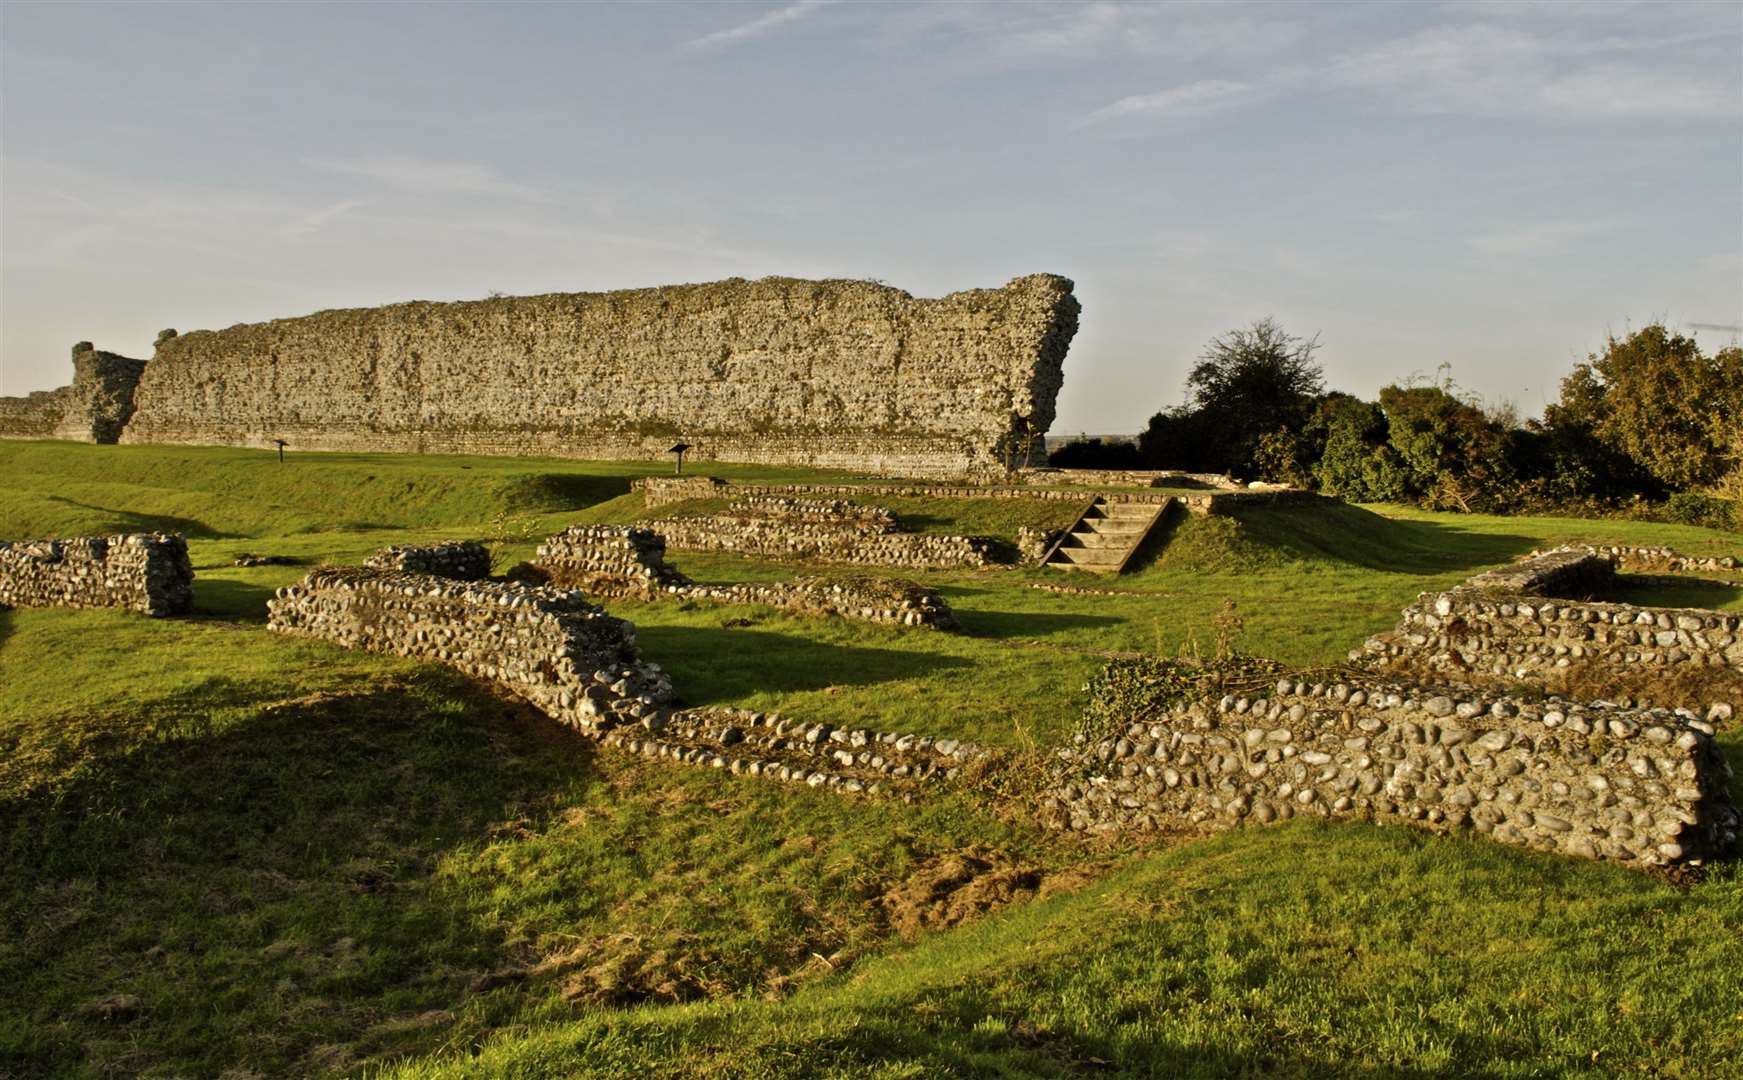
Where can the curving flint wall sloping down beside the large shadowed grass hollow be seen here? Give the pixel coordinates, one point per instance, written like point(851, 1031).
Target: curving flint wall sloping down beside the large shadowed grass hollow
point(552, 647)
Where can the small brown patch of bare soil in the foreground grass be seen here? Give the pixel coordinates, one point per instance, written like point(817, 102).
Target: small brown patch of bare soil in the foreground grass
point(963, 886)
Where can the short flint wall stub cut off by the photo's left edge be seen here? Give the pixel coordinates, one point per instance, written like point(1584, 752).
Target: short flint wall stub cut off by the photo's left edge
point(142, 572)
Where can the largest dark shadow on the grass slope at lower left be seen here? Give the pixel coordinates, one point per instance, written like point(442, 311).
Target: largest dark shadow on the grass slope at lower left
point(292, 861)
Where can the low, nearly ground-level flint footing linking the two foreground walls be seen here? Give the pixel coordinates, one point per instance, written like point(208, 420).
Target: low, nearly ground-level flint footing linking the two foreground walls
point(766, 745)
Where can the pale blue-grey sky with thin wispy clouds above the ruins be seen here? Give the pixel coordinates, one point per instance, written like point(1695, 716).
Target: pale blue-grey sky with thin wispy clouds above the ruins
point(1493, 187)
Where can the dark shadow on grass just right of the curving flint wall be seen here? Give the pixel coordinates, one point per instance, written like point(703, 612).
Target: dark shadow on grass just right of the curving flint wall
point(728, 663)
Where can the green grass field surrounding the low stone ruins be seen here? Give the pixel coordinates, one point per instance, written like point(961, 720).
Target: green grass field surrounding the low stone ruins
point(231, 853)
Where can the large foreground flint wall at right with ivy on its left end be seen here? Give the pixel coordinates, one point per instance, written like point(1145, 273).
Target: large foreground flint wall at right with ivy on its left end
point(1590, 780)
